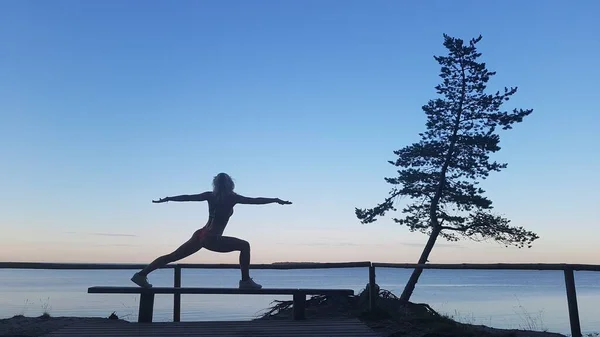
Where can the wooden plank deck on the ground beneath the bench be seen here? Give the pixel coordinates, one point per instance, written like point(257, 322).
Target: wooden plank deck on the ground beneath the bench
point(340, 327)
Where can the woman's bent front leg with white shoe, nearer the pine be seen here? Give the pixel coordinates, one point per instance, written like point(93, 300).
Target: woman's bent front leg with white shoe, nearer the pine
point(227, 244)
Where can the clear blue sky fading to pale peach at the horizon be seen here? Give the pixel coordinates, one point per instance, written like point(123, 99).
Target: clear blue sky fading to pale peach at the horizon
point(106, 105)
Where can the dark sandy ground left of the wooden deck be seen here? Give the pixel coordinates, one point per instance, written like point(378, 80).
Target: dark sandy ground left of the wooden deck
point(20, 326)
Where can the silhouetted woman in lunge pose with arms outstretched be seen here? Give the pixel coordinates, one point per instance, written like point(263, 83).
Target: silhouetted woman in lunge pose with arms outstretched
point(220, 208)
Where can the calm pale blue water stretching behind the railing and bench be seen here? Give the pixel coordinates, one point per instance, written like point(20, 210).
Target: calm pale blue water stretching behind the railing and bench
point(504, 299)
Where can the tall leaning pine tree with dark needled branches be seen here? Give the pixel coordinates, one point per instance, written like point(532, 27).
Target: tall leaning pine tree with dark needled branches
point(440, 173)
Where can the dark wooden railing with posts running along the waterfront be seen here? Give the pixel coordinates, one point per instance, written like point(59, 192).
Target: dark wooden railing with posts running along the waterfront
point(568, 270)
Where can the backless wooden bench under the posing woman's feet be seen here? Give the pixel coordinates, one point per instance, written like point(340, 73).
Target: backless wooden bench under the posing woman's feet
point(146, 308)
